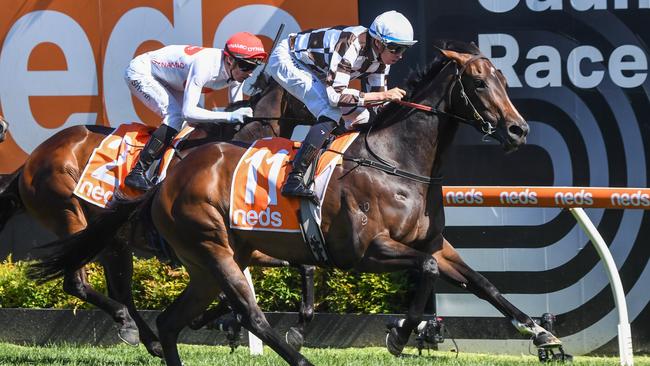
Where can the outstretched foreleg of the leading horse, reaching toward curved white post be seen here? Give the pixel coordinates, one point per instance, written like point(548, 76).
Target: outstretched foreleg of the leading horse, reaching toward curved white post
point(456, 271)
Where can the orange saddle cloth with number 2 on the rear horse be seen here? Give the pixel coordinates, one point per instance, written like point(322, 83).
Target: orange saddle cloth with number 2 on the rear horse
point(112, 160)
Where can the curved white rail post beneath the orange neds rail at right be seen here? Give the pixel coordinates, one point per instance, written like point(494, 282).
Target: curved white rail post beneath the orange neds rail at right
point(624, 331)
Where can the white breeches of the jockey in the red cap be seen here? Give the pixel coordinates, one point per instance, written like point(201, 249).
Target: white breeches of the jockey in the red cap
point(163, 101)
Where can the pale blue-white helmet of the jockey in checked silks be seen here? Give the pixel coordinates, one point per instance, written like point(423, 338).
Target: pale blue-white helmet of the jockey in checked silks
point(392, 27)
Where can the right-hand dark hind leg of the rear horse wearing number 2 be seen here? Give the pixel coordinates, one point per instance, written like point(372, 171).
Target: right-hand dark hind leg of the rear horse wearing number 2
point(118, 269)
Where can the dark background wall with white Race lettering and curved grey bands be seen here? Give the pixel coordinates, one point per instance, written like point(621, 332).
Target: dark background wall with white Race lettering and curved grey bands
point(589, 127)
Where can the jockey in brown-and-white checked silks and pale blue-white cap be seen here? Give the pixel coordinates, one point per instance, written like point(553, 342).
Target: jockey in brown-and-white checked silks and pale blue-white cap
point(317, 66)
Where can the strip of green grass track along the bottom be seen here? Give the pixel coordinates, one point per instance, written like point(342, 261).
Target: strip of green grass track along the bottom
point(59, 355)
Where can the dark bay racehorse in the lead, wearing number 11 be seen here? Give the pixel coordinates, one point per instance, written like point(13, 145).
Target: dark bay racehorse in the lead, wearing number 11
point(383, 210)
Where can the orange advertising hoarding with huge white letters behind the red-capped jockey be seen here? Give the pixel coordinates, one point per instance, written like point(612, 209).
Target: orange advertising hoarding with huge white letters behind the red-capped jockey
point(62, 62)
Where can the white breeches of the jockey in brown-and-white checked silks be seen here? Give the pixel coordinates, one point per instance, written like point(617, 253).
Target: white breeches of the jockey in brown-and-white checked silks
point(301, 82)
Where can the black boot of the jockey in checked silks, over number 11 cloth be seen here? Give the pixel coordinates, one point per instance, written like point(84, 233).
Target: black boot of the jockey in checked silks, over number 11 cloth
point(295, 185)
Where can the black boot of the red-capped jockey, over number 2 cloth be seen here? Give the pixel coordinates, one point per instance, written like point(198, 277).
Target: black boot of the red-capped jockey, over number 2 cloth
point(151, 151)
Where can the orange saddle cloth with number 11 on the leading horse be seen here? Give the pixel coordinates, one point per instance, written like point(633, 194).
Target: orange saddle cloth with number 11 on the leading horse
point(255, 199)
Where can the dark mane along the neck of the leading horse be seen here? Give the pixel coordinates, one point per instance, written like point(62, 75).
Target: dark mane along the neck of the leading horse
point(420, 78)
